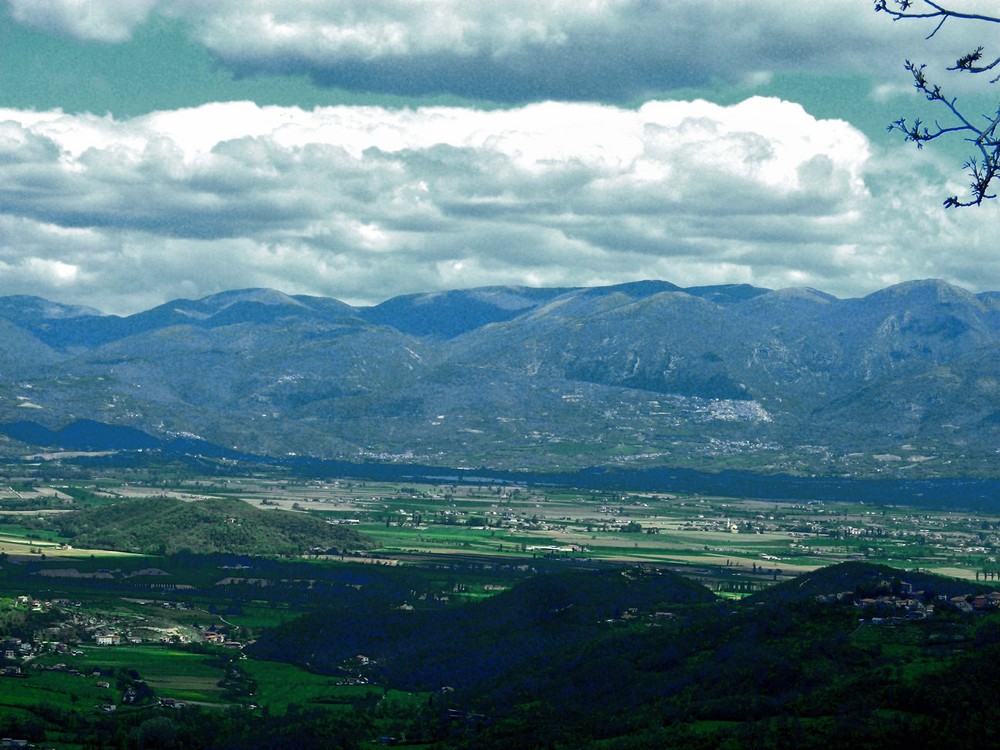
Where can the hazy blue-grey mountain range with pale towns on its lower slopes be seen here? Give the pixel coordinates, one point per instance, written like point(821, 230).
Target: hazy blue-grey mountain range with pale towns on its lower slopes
point(905, 381)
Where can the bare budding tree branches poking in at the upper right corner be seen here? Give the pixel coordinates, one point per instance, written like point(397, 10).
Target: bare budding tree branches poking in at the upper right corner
point(979, 130)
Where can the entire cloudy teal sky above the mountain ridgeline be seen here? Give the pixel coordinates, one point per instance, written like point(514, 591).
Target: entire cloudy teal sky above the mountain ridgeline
point(160, 149)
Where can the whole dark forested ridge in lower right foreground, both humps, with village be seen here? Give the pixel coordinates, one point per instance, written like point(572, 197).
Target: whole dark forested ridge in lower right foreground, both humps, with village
point(634, 658)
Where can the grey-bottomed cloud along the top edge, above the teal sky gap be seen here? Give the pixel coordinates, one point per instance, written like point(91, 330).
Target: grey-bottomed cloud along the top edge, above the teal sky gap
point(504, 50)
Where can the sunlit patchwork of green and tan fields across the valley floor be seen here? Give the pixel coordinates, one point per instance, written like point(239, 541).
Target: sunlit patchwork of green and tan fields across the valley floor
point(756, 541)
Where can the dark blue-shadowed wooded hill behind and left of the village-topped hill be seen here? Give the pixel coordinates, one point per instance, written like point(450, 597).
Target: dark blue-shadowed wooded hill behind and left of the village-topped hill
point(508, 632)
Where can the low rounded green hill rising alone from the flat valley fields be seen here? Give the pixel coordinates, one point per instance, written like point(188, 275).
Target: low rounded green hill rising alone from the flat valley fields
point(163, 525)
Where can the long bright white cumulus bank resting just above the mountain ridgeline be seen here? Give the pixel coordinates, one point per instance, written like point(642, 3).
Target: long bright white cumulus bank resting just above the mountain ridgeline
point(365, 202)
